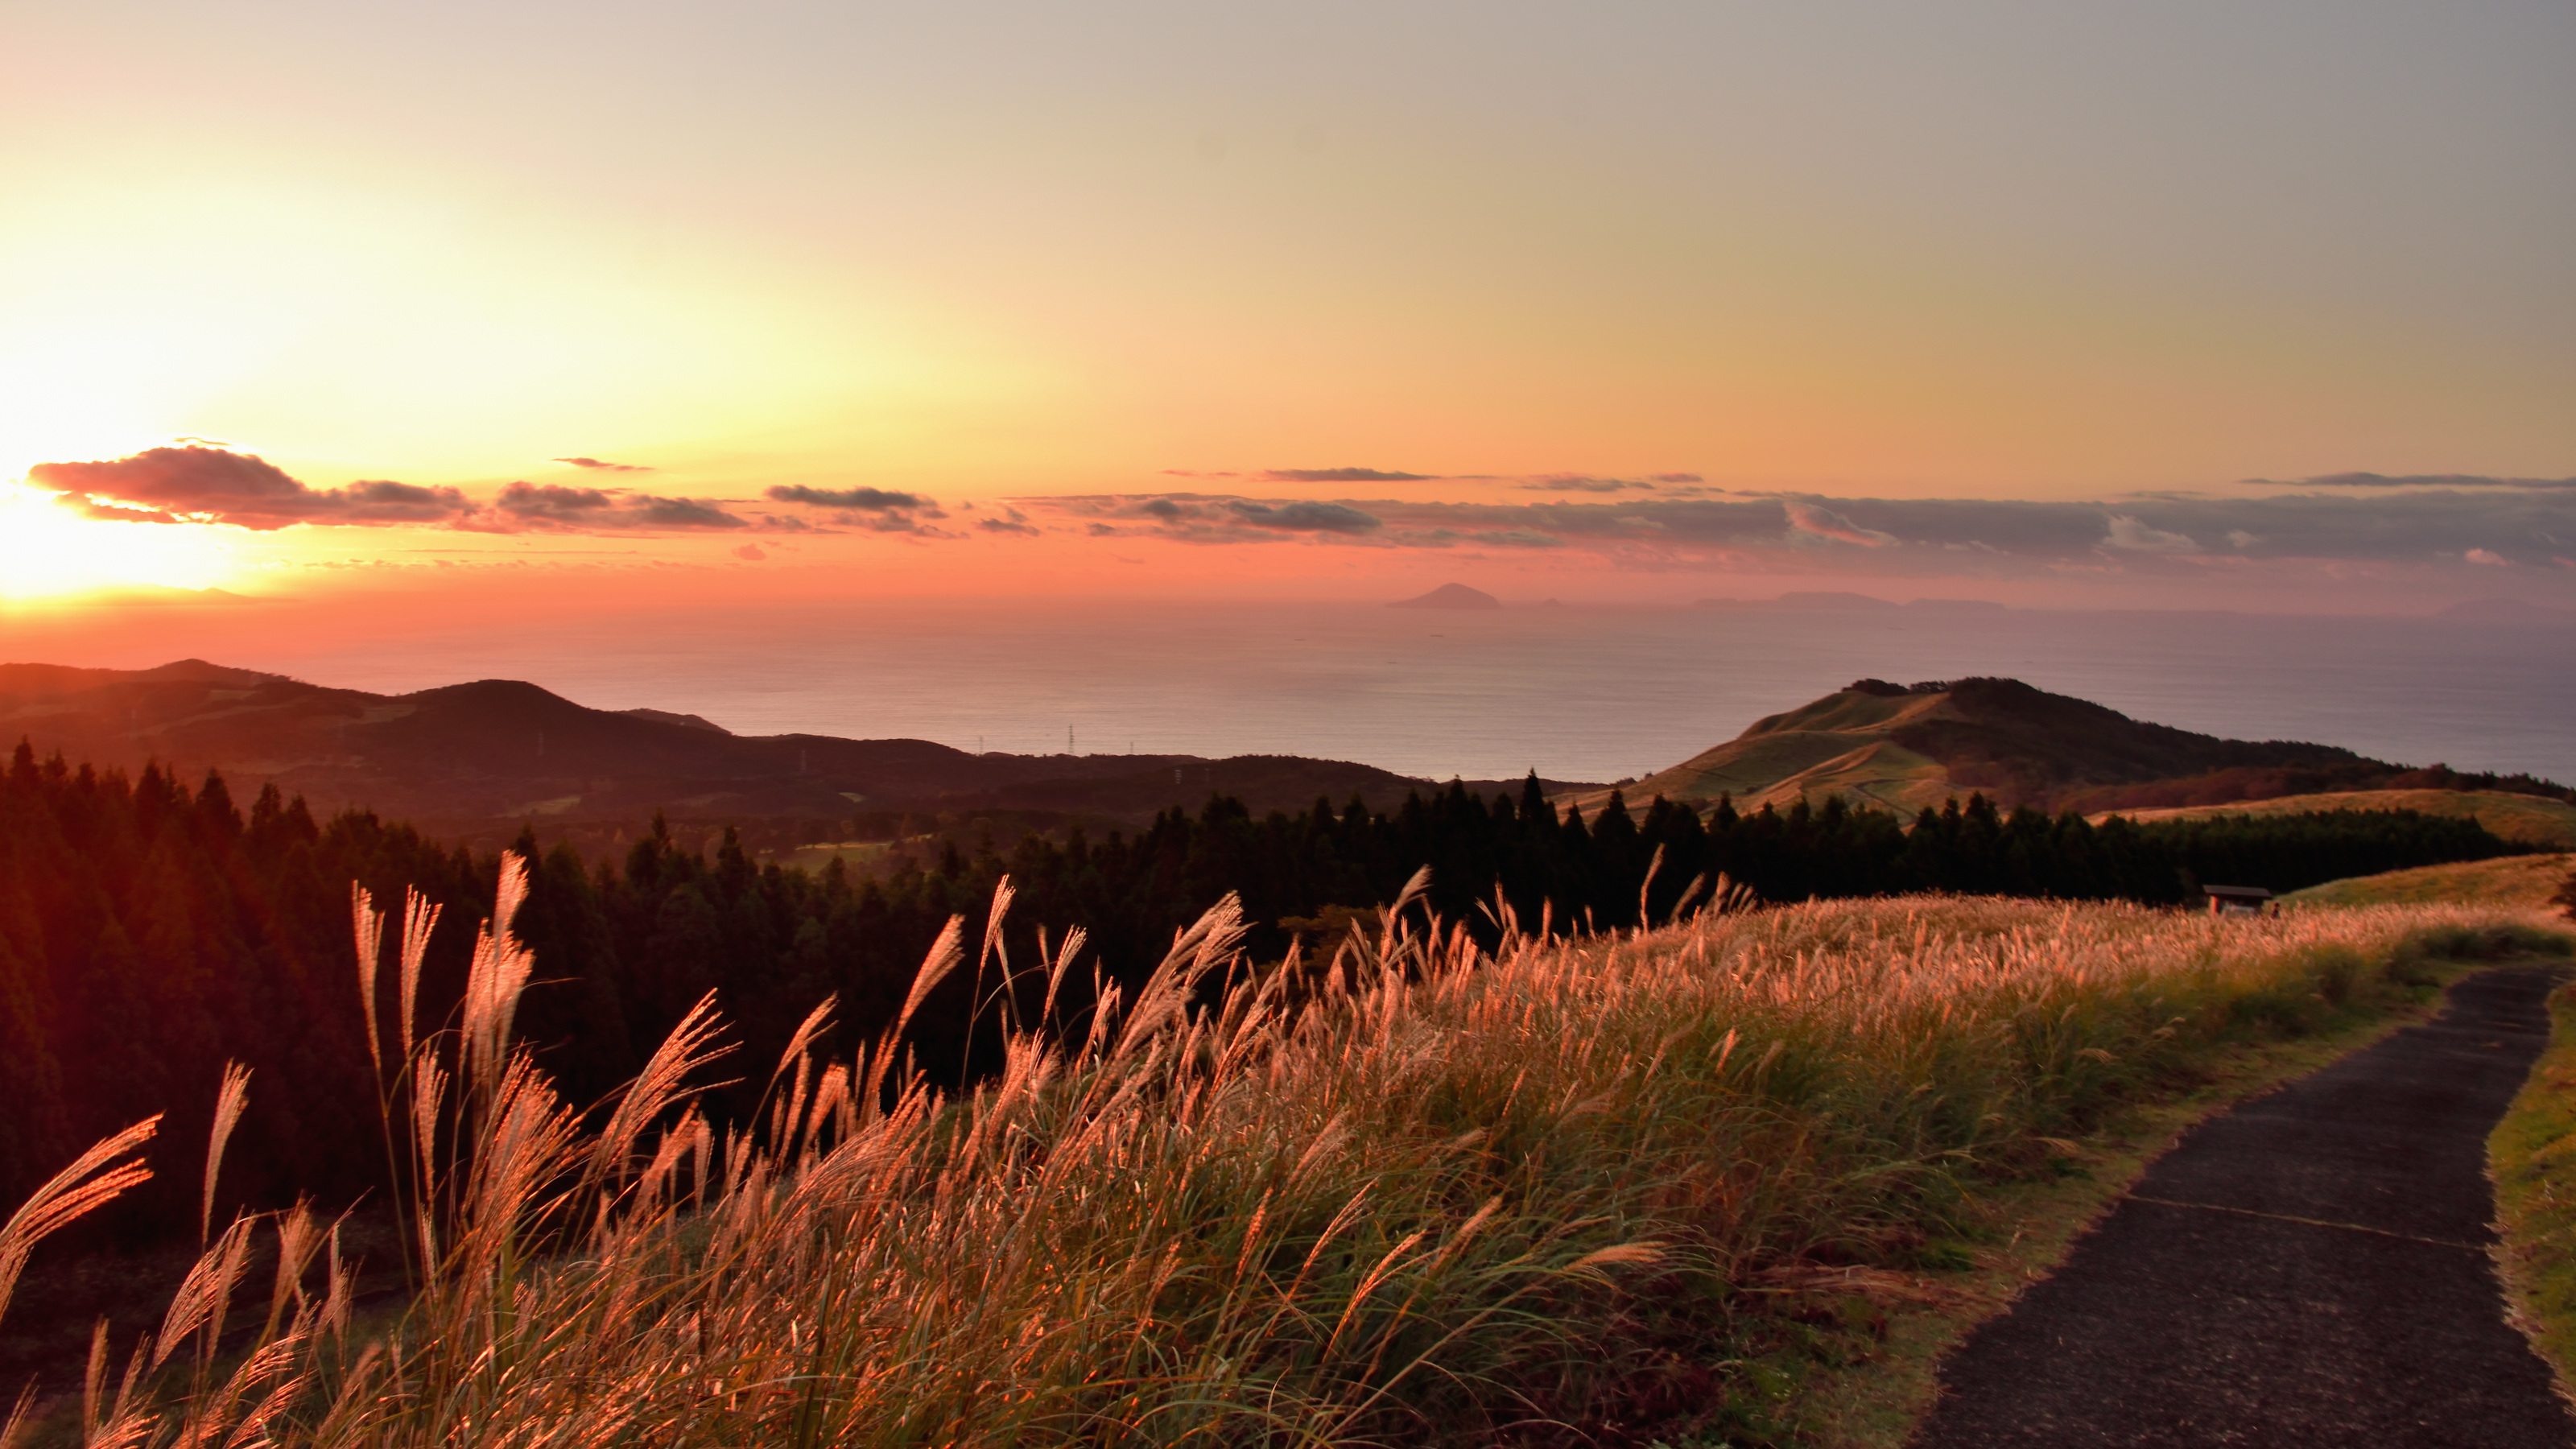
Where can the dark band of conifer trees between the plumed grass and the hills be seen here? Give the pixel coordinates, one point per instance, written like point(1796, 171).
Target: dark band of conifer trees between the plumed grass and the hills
point(148, 935)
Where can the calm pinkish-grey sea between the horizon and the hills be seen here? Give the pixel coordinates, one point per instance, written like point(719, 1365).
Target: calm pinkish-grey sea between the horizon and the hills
point(1485, 695)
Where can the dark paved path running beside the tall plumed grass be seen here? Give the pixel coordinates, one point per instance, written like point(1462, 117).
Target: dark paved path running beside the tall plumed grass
point(2309, 1270)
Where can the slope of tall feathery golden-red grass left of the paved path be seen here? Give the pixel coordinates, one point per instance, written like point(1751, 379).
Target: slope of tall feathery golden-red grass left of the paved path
point(1560, 1192)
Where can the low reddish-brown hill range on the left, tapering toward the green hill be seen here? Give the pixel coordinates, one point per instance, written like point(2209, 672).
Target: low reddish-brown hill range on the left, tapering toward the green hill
point(480, 759)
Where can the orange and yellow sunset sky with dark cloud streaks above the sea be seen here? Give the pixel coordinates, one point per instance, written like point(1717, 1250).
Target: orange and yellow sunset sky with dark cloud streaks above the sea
point(2258, 306)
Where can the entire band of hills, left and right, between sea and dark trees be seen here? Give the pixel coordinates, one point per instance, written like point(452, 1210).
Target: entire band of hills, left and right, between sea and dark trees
point(483, 759)
